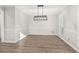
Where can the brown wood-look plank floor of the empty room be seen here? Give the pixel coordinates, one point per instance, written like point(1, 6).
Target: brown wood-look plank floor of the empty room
point(37, 44)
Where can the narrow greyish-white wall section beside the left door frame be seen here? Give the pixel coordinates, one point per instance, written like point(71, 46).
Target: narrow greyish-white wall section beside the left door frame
point(9, 24)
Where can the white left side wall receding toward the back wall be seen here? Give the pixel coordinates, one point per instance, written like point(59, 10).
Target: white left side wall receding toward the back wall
point(21, 23)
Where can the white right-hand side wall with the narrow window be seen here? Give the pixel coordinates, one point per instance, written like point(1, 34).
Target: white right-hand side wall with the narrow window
point(69, 16)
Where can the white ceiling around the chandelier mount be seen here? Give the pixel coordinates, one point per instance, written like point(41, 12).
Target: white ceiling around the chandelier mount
point(48, 9)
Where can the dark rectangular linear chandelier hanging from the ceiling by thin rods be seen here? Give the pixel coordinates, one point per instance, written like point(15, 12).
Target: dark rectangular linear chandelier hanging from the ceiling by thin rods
point(40, 16)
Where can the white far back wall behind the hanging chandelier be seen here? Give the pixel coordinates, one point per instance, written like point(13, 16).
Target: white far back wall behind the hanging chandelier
point(43, 27)
